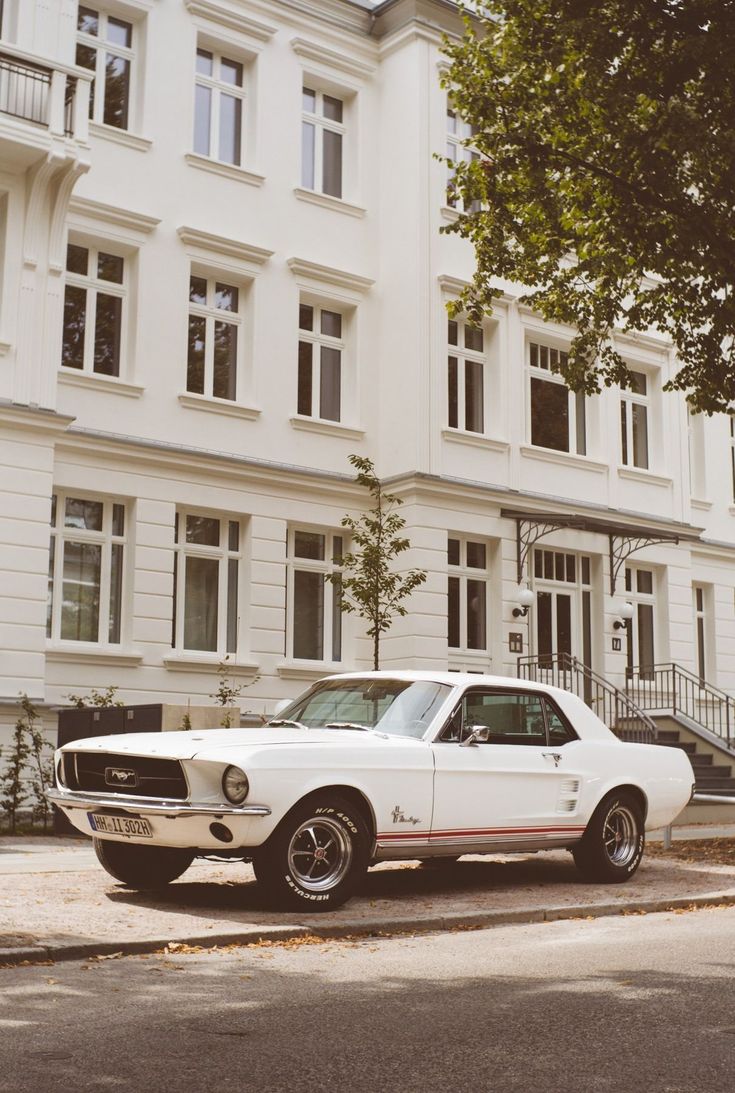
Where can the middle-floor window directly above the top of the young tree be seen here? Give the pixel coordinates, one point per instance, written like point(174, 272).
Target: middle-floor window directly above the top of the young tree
point(321, 348)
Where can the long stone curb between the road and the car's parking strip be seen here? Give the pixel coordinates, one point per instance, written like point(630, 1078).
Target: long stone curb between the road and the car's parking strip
point(54, 954)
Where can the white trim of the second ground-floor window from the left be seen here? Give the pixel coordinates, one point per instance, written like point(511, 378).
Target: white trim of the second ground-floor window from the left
point(224, 555)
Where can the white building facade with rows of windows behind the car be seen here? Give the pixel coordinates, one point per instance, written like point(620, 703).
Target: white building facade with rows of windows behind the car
point(223, 274)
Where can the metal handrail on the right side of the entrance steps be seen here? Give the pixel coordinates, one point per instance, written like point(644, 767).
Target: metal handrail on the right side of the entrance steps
point(672, 688)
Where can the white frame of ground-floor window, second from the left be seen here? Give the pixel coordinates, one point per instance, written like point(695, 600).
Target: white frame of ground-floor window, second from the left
point(225, 556)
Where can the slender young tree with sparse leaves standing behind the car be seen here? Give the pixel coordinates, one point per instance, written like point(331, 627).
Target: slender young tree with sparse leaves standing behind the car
point(366, 583)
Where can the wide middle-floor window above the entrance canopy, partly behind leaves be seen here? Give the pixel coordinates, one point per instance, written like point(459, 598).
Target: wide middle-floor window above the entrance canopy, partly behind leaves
point(558, 417)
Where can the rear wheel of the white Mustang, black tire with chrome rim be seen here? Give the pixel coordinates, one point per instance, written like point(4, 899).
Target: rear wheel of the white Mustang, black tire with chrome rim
point(613, 845)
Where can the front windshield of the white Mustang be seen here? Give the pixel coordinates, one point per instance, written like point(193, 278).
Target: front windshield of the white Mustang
point(401, 708)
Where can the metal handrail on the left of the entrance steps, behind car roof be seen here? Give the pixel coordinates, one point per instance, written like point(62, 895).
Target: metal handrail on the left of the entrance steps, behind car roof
point(612, 706)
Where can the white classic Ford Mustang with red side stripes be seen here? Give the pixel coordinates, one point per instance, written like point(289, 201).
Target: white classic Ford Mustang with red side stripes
point(375, 767)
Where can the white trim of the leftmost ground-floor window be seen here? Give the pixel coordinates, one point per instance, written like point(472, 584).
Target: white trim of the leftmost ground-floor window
point(106, 538)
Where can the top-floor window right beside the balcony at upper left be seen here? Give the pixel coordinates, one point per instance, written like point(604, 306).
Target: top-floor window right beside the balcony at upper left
point(104, 46)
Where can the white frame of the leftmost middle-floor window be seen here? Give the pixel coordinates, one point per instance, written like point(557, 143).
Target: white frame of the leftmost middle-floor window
point(94, 286)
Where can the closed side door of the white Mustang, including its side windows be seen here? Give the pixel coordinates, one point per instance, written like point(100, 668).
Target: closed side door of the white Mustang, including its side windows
point(518, 784)
